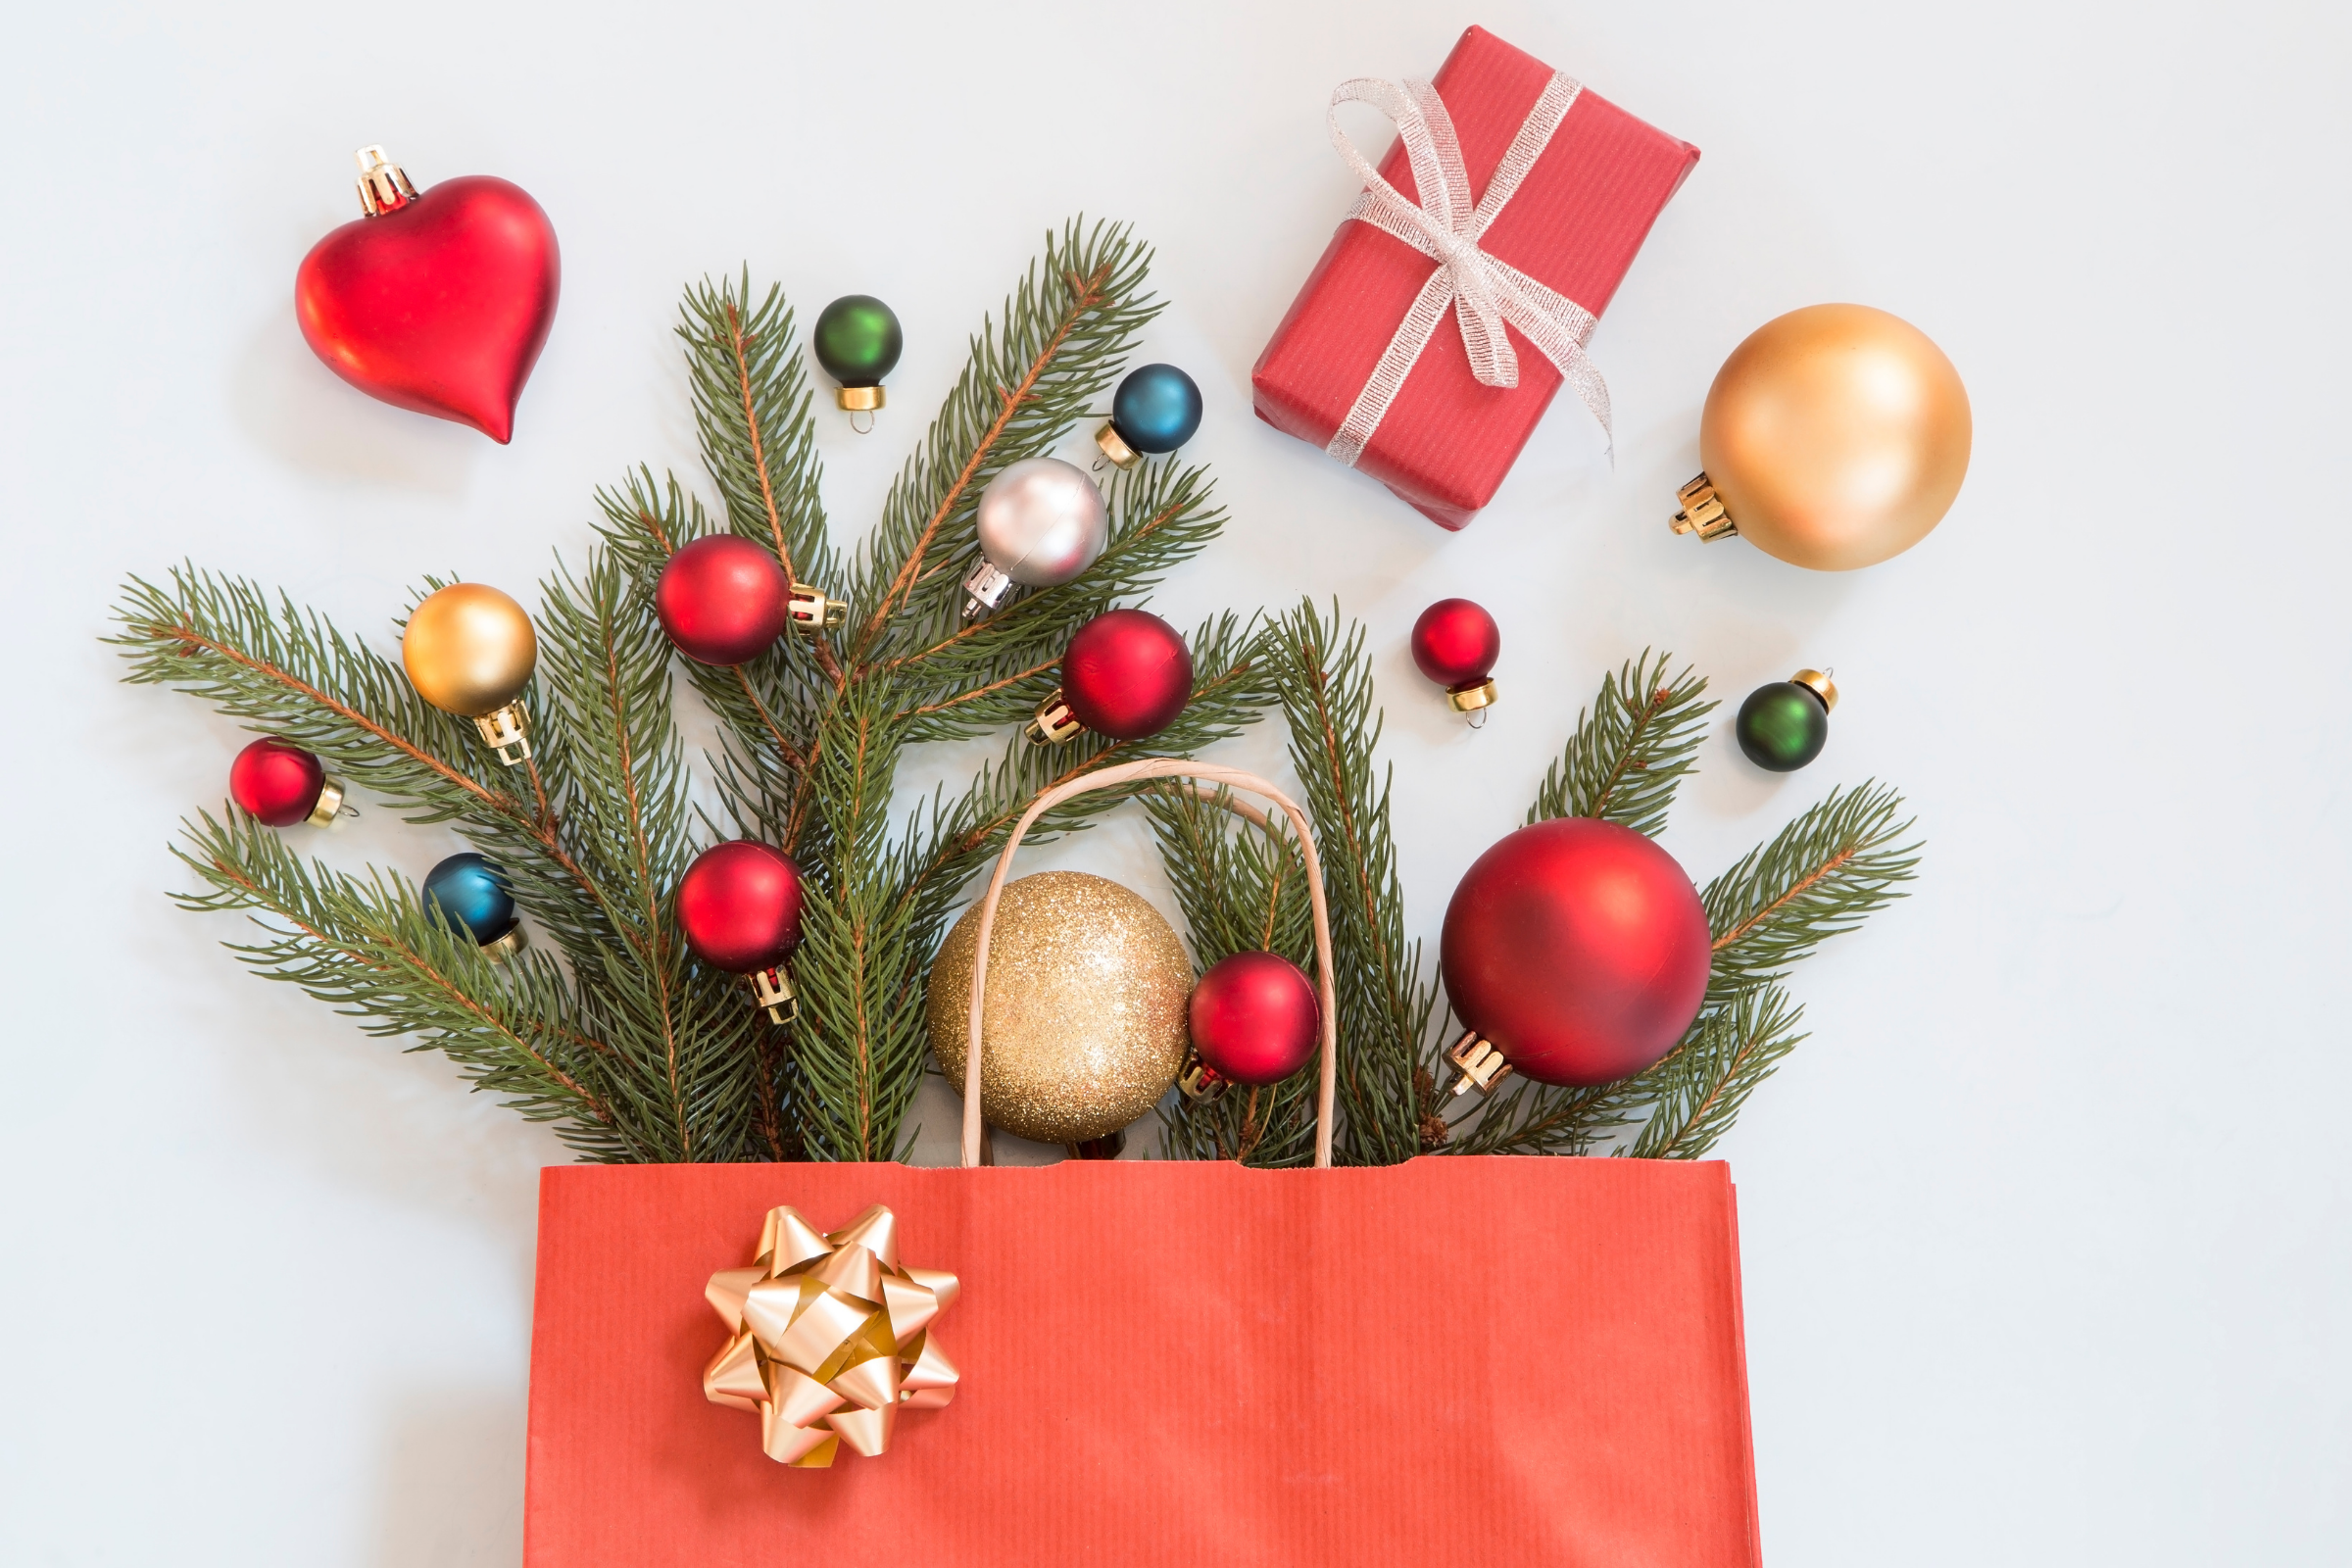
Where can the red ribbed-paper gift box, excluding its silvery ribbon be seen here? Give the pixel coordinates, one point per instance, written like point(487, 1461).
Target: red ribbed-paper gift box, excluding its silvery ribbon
point(1575, 222)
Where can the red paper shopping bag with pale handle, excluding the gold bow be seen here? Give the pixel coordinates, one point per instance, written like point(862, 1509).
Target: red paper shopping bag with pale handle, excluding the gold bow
point(1172, 1362)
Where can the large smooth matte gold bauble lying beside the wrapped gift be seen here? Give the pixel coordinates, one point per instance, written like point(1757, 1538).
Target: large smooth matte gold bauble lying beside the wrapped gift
point(1833, 438)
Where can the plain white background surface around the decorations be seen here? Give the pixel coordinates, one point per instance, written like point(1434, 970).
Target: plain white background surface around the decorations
point(2045, 1228)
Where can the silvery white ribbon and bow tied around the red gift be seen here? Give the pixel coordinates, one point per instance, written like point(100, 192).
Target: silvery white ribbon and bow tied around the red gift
point(1448, 229)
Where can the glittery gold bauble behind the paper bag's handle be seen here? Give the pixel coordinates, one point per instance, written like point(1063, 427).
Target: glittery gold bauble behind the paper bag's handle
point(1085, 1017)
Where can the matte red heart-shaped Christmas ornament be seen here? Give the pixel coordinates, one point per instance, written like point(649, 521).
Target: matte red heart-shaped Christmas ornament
point(439, 304)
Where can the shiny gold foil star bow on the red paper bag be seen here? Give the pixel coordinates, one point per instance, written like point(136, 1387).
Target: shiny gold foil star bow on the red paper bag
point(829, 1339)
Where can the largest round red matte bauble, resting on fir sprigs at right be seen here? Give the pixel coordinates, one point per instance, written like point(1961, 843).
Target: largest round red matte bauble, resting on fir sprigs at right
point(1579, 951)
